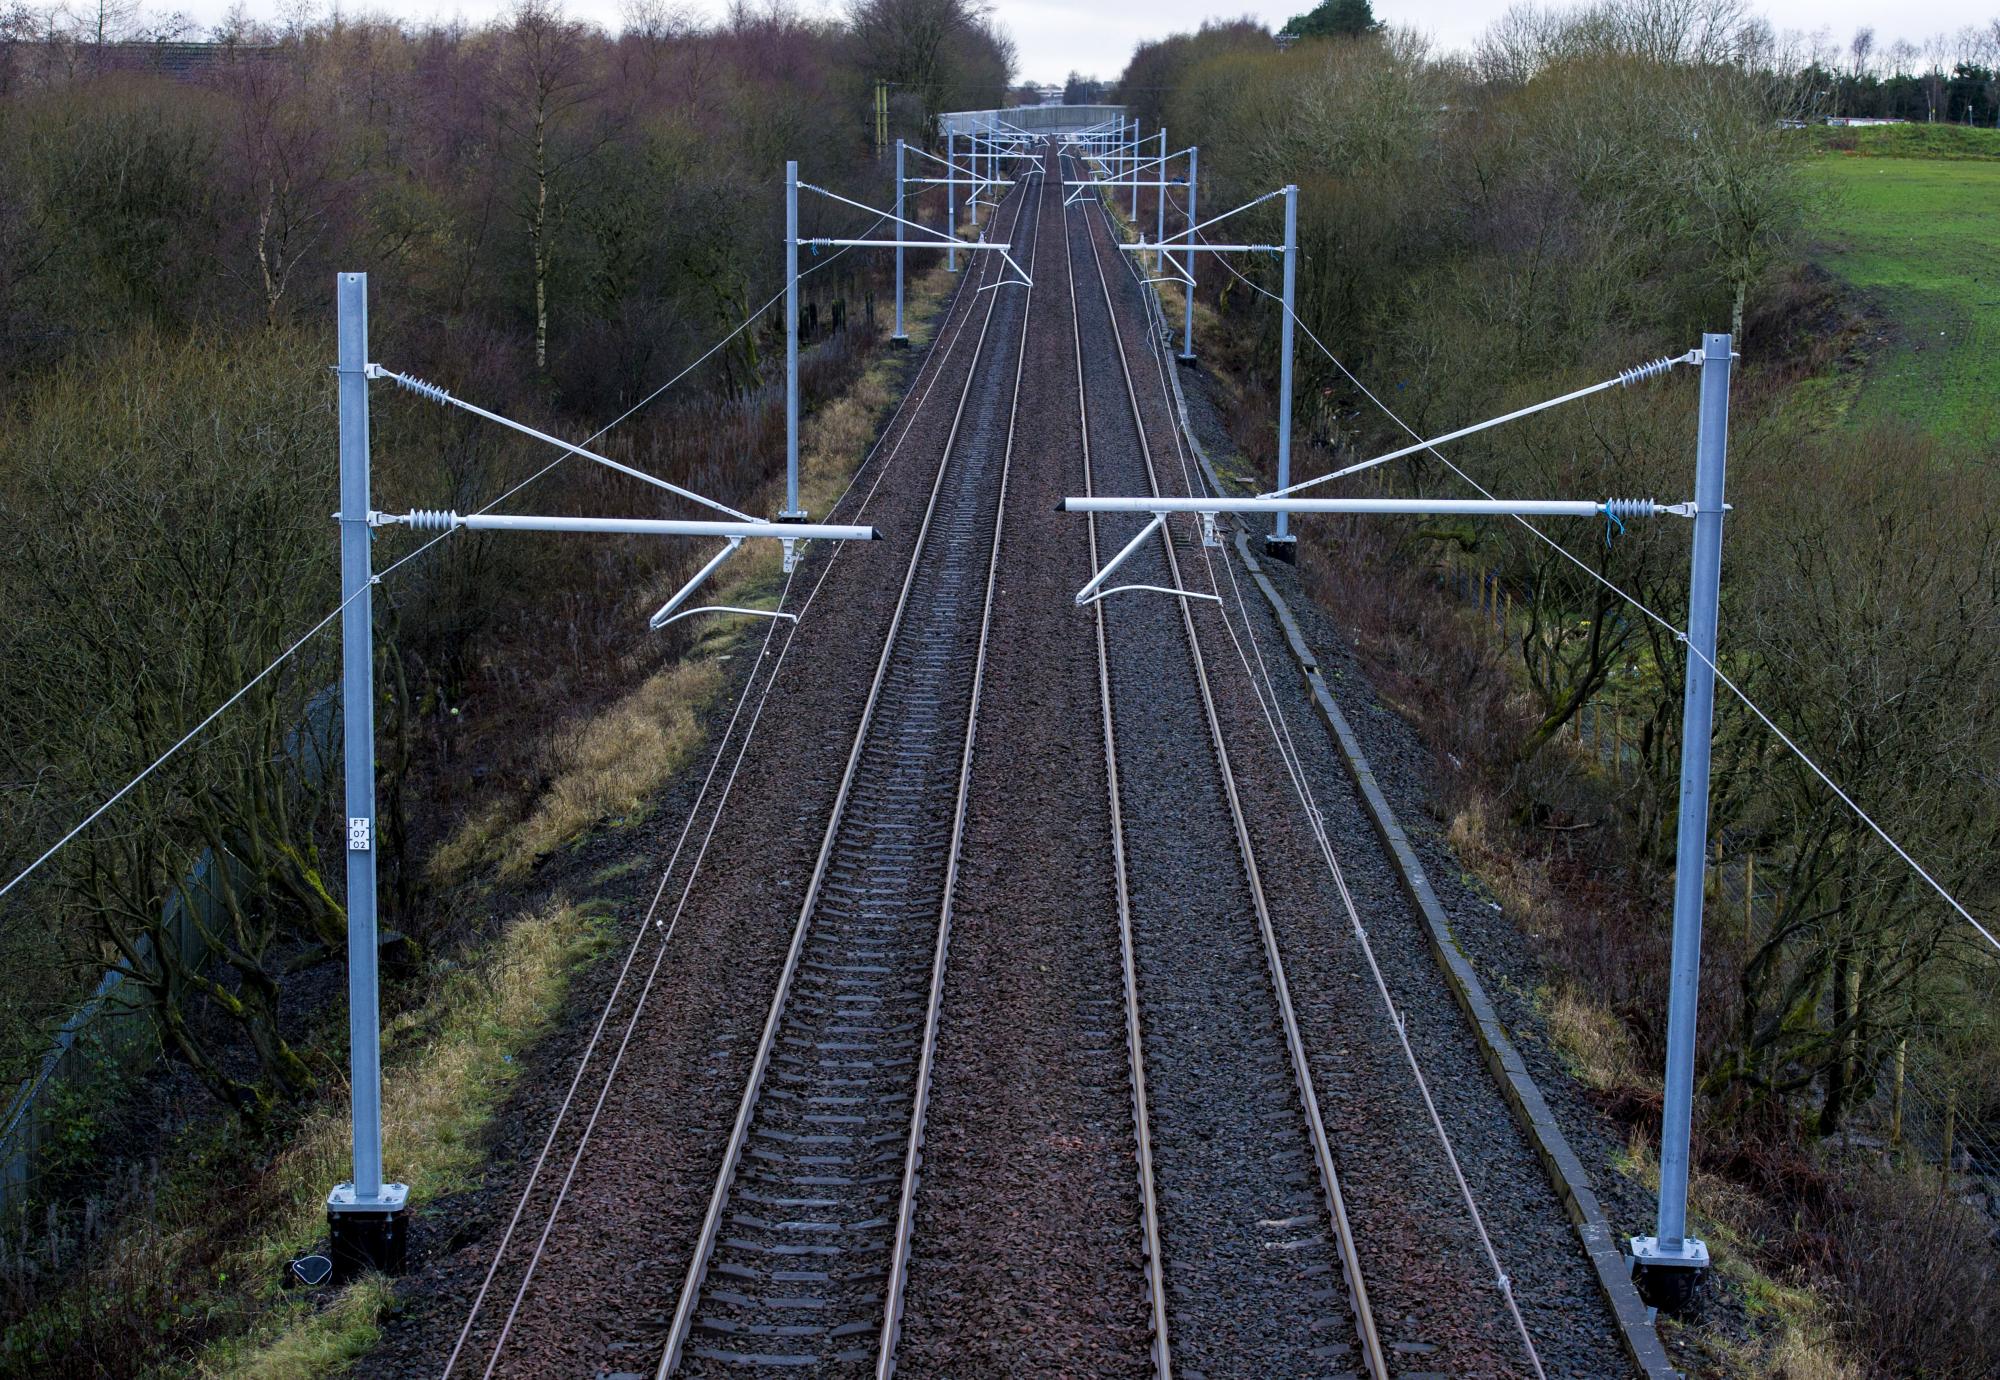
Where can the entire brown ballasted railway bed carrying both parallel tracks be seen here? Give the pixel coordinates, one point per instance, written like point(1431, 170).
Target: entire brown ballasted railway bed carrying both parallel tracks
point(1129, 1165)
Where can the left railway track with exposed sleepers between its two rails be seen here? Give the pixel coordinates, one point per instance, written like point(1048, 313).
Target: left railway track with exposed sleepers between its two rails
point(805, 1245)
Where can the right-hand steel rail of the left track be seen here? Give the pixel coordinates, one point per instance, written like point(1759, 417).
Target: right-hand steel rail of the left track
point(913, 1163)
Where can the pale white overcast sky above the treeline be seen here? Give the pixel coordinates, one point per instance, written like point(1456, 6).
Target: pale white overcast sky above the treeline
point(1057, 37)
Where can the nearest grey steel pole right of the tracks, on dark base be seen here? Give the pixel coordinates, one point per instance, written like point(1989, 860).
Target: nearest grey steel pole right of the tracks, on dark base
point(1673, 1261)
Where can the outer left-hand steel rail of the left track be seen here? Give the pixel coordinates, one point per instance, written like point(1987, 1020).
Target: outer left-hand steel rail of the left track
point(809, 905)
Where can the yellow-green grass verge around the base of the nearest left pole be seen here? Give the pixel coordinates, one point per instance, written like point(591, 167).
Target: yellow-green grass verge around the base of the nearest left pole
point(191, 1279)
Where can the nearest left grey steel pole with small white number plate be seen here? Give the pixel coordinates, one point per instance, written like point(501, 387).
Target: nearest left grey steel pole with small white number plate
point(365, 1215)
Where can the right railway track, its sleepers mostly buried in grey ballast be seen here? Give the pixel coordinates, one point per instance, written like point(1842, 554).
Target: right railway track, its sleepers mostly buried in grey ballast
point(1245, 1213)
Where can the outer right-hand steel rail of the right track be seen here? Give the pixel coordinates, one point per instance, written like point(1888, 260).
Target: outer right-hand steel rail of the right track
point(1365, 1325)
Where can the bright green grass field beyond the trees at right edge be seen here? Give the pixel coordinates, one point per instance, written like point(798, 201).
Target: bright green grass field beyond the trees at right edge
point(1921, 239)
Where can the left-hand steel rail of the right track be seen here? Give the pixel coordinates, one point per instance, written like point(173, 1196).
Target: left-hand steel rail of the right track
point(1163, 1355)
